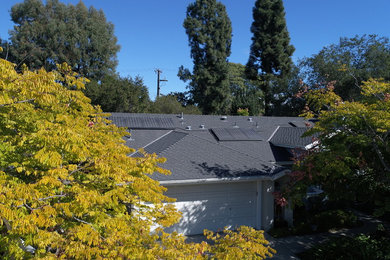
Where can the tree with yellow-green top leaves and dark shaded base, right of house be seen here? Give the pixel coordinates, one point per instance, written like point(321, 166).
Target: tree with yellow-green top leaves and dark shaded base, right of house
point(351, 160)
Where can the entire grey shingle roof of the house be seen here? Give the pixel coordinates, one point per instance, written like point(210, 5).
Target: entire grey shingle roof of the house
point(200, 153)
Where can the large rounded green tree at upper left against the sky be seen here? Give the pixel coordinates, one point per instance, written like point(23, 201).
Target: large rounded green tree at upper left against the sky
point(51, 33)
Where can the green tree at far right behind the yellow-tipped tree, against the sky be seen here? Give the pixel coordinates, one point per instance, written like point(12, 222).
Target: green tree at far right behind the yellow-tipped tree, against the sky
point(349, 63)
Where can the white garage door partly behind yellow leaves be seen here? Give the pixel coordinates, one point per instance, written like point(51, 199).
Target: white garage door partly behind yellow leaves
point(214, 206)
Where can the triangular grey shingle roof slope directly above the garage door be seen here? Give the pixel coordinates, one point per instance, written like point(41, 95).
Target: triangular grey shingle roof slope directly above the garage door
point(196, 158)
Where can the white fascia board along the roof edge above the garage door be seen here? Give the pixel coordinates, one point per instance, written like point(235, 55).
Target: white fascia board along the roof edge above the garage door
point(224, 180)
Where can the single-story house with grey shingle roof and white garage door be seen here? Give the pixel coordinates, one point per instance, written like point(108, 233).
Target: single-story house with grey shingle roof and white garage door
point(224, 168)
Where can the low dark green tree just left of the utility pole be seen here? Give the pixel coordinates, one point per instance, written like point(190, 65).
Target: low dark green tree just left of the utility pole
point(116, 94)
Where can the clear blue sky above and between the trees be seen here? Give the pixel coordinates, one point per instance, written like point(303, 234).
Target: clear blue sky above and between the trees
point(151, 34)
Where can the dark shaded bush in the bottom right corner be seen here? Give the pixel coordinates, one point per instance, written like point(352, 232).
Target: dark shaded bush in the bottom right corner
point(359, 247)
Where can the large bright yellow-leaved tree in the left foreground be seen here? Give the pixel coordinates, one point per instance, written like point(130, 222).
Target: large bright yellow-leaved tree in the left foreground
point(68, 189)
